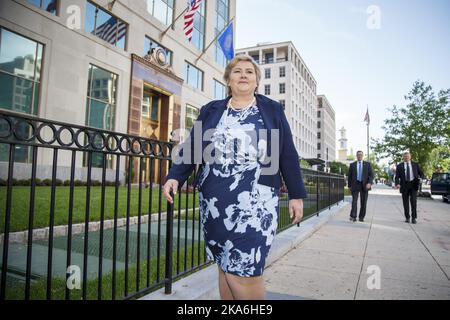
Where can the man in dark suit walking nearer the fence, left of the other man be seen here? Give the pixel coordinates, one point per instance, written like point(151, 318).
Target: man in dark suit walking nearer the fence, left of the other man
point(360, 180)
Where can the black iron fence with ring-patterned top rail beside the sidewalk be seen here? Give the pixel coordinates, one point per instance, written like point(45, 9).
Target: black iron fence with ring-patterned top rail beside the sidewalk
point(82, 215)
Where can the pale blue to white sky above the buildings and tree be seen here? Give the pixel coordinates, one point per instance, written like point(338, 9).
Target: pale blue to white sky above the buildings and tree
point(357, 59)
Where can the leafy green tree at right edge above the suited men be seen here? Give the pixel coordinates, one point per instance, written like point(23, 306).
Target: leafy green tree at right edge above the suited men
point(420, 127)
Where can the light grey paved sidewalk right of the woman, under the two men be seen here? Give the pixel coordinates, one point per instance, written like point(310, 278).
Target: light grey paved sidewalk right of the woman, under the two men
point(342, 257)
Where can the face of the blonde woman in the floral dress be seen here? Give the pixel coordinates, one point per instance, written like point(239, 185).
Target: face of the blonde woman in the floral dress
point(243, 78)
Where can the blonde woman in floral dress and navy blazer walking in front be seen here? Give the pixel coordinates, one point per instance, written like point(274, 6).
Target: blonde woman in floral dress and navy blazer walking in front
point(238, 200)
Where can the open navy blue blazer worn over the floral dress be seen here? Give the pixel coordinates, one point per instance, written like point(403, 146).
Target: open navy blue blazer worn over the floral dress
point(273, 116)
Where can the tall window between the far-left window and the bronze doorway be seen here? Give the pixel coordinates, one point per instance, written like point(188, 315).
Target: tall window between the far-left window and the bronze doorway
point(101, 106)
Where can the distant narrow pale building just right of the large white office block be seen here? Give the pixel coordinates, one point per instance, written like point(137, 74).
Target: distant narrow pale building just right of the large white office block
point(326, 130)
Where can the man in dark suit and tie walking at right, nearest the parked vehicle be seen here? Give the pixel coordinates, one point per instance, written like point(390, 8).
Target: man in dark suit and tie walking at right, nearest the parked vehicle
point(407, 180)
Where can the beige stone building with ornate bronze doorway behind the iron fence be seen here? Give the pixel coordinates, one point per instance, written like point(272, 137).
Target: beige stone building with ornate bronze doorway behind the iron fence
point(115, 65)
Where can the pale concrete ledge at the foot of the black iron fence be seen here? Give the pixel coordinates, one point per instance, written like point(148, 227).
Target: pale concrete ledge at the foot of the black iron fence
point(202, 285)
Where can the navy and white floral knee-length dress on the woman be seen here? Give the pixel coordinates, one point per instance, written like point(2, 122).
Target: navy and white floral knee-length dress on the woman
point(238, 215)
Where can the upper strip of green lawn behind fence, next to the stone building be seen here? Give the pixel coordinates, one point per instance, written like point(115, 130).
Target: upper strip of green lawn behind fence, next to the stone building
point(21, 205)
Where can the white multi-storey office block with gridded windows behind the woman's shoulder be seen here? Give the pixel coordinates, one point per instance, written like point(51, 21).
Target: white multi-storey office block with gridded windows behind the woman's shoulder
point(287, 79)
